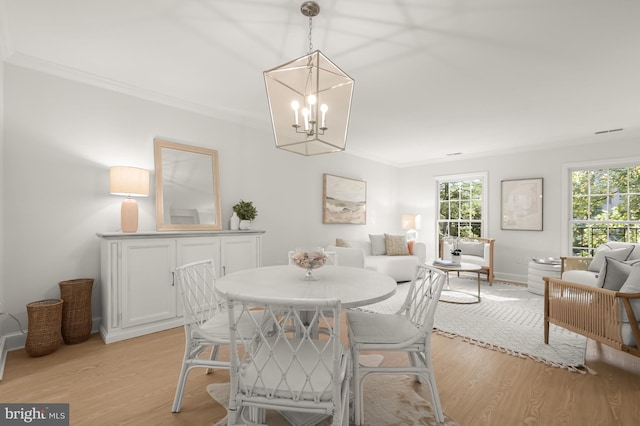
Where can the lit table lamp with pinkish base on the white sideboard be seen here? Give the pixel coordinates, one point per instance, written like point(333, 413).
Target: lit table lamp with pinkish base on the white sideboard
point(132, 182)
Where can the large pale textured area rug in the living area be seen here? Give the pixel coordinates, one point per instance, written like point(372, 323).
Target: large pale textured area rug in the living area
point(508, 319)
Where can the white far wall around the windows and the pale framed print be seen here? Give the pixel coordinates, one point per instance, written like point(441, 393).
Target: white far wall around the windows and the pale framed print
point(514, 249)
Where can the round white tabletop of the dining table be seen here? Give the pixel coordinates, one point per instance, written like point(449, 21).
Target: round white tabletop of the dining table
point(352, 286)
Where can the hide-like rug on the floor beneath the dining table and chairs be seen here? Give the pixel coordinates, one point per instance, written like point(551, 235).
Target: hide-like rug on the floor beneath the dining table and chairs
point(388, 400)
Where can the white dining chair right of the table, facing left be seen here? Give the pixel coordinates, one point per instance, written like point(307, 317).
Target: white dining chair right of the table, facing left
point(409, 330)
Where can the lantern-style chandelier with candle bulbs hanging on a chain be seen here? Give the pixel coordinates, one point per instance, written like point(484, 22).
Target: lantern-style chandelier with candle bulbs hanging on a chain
point(310, 100)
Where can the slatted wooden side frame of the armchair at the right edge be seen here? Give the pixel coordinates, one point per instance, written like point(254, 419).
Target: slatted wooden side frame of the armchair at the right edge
point(600, 314)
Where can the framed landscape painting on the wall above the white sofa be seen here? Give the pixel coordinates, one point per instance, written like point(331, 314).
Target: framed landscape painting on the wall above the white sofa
point(344, 200)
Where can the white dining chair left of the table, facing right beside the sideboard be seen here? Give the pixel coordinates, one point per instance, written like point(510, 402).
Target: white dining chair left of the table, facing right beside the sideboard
point(206, 324)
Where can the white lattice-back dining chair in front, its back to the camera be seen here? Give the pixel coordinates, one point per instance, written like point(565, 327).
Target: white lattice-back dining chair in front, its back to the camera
point(294, 373)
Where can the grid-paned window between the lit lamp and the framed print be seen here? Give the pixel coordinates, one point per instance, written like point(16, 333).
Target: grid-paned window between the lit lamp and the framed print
point(461, 206)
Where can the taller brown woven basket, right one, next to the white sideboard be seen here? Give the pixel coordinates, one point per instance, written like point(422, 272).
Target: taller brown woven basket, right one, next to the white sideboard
point(76, 310)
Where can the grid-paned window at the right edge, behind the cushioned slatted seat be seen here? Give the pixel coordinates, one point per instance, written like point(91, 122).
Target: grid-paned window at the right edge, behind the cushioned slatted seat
point(605, 206)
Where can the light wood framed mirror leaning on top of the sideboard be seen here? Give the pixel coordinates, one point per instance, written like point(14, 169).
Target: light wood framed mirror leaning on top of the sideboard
point(187, 187)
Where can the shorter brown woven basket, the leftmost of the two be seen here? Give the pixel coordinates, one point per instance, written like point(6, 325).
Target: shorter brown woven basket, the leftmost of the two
point(45, 317)
